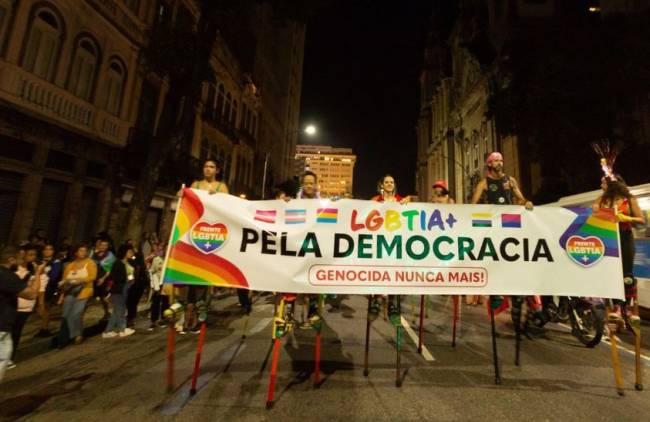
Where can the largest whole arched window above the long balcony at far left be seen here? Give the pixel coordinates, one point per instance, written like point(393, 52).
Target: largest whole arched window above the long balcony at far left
point(43, 44)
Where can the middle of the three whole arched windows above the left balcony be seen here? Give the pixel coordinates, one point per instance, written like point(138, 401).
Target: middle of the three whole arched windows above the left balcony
point(85, 60)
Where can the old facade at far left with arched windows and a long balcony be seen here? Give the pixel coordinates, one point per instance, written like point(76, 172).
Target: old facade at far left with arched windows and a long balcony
point(69, 88)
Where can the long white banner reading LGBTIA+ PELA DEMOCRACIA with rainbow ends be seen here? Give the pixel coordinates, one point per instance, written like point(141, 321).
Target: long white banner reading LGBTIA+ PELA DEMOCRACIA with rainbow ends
point(365, 247)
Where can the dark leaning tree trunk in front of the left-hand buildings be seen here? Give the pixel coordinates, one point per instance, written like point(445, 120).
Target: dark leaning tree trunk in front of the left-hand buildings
point(178, 52)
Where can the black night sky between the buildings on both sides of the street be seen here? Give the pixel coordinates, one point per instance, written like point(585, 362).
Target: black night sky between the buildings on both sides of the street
point(360, 85)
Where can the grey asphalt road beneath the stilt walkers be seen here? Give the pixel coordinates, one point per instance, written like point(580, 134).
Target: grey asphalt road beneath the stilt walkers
point(124, 378)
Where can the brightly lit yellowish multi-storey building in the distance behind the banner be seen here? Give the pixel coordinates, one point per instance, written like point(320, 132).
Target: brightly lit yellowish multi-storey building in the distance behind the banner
point(333, 166)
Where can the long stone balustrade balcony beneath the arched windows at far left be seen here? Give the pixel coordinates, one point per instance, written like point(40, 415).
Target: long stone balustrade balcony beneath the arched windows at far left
point(59, 106)
